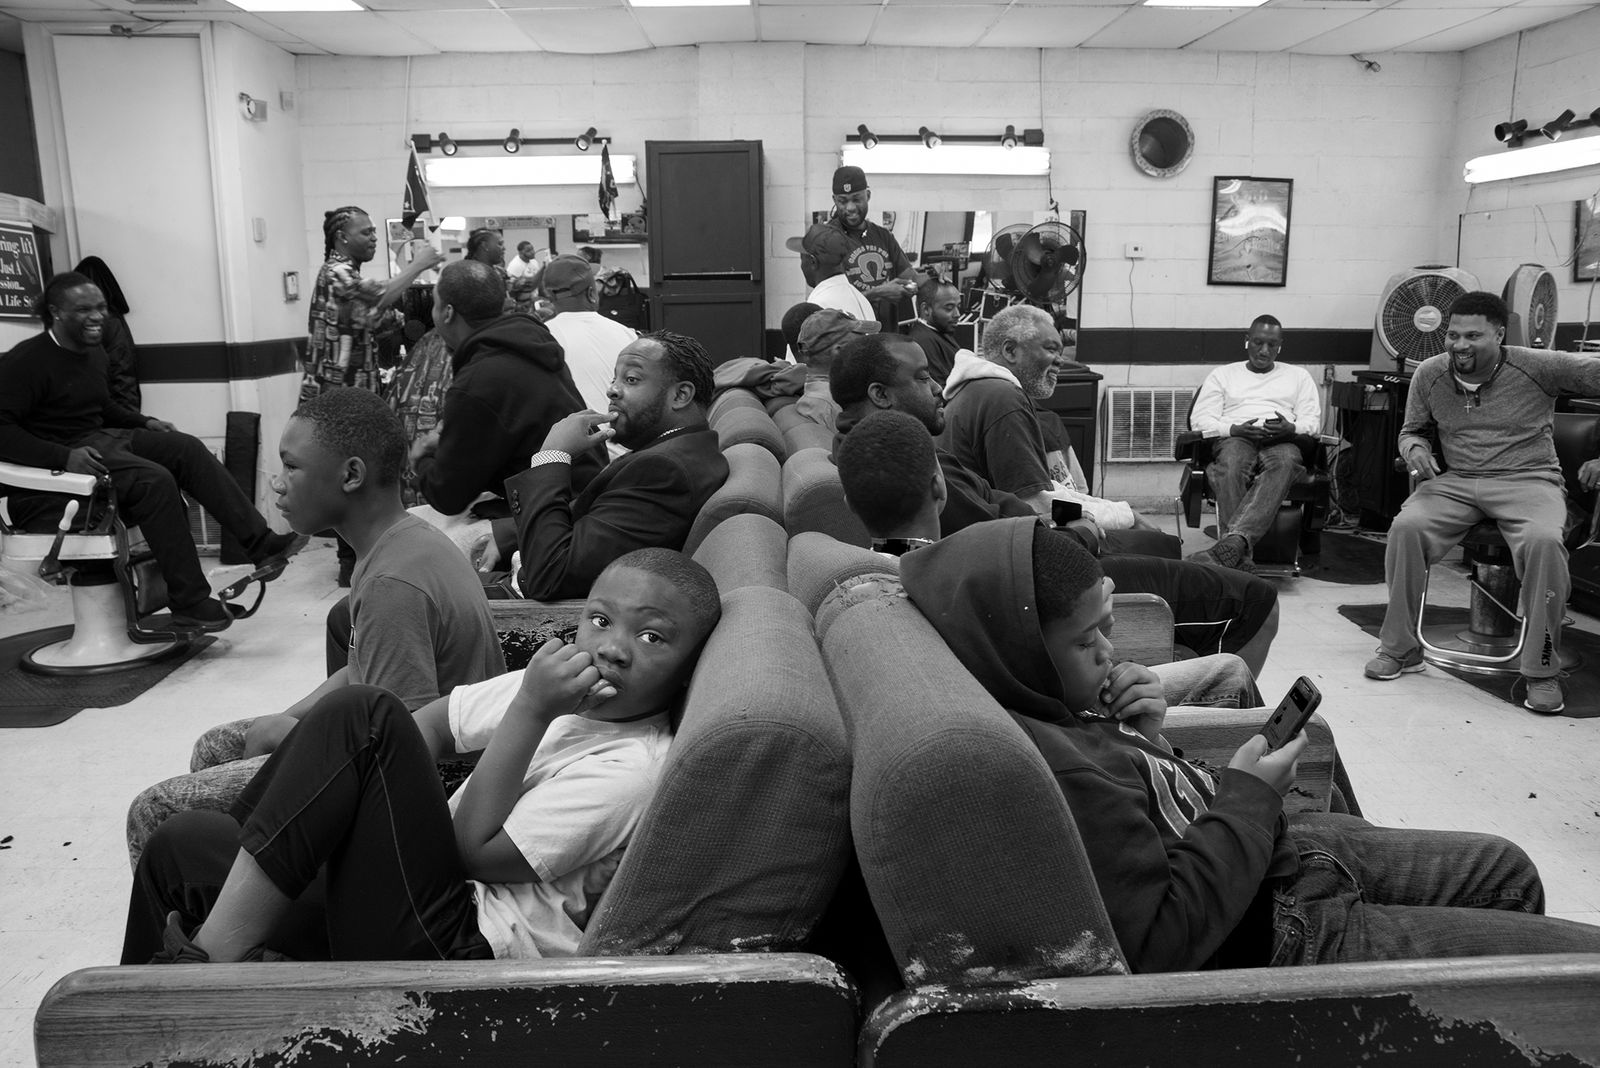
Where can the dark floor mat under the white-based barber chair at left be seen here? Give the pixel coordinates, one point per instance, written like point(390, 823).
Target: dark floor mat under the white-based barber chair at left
point(42, 701)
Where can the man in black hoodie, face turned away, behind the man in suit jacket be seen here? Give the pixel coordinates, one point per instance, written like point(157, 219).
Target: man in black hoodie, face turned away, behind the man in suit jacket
point(510, 386)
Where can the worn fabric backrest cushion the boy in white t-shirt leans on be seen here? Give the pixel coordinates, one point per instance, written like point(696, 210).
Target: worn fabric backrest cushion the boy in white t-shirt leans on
point(748, 835)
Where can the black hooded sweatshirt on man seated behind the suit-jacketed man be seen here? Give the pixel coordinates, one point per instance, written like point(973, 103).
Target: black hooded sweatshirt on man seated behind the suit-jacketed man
point(510, 388)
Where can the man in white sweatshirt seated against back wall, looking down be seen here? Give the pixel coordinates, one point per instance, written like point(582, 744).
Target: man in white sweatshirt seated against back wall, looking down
point(1254, 408)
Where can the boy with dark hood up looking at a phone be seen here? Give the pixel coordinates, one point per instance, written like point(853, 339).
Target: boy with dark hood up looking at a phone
point(1199, 869)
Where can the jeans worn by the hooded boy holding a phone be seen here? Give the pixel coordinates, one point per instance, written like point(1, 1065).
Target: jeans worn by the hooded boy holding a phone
point(1380, 895)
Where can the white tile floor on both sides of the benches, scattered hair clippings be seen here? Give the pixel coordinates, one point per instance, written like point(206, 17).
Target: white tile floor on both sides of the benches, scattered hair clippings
point(1425, 751)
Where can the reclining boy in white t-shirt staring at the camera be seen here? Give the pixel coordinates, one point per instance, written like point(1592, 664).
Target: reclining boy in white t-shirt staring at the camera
point(506, 869)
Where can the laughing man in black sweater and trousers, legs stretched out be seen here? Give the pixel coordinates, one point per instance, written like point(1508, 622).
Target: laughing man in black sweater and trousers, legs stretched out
point(57, 413)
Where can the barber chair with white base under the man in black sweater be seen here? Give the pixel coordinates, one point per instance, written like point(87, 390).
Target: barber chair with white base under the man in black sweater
point(116, 586)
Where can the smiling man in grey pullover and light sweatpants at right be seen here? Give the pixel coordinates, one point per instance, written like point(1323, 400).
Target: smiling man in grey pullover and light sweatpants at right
point(1492, 407)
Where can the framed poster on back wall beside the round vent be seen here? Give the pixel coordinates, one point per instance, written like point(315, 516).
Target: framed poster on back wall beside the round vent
point(1250, 231)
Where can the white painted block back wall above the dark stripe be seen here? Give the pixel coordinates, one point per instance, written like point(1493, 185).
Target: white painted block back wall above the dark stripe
point(1367, 170)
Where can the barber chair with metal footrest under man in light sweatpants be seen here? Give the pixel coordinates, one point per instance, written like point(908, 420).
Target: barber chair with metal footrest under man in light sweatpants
point(1492, 644)
